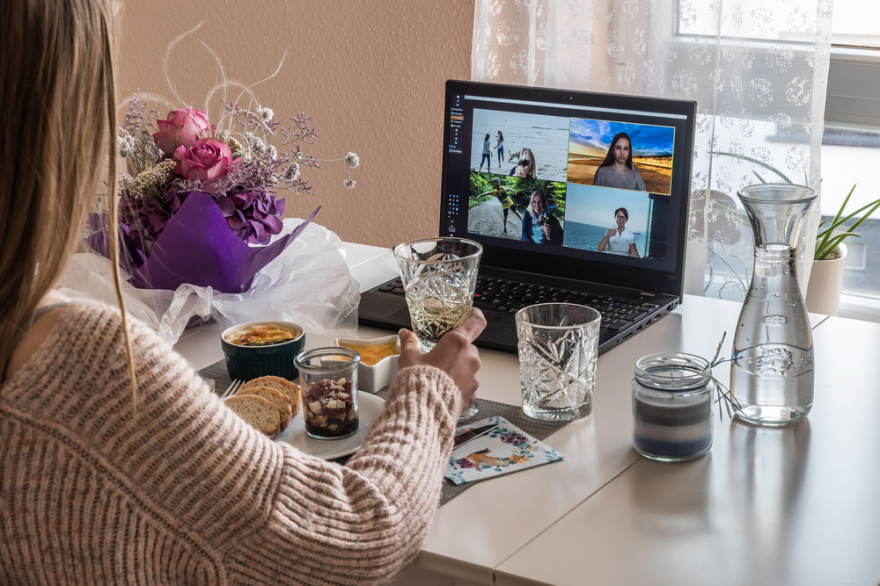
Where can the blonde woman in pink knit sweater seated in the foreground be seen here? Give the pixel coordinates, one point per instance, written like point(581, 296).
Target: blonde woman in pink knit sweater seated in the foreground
point(118, 465)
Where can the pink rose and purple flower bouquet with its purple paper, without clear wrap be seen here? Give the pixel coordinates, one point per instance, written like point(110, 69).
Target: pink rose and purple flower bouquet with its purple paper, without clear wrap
point(195, 196)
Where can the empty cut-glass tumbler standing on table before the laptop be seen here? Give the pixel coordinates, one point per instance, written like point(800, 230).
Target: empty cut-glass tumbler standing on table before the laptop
point(558, 346)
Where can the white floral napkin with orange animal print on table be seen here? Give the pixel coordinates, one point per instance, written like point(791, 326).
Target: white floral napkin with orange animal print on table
point(503, 450)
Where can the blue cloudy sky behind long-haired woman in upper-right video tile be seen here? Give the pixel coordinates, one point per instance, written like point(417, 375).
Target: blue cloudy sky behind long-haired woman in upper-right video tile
point(593, 138)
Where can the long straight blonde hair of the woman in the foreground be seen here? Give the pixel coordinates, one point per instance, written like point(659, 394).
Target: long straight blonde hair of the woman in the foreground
point(57, 93)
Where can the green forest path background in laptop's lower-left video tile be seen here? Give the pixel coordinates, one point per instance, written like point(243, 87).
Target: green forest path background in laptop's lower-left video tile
point(488, 202)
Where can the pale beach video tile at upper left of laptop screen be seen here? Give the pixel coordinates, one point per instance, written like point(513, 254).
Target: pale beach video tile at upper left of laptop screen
point(542, 140)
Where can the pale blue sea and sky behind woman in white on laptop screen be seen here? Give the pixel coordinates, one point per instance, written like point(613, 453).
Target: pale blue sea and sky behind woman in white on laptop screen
point(590, 215)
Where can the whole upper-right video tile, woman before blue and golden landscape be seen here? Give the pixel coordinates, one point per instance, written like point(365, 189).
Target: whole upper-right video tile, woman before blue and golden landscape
point(591, 155)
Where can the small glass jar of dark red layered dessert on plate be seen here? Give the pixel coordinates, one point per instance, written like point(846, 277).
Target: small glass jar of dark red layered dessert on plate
point(328, 377)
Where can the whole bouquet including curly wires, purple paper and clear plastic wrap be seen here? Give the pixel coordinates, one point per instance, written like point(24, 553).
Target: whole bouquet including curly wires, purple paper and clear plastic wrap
point(201, 235)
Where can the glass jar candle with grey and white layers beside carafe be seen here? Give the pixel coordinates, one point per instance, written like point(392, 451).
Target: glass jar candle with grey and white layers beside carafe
point(672, 407)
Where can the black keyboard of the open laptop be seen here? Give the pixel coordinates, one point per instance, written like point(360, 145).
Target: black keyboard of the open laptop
point(510, 296)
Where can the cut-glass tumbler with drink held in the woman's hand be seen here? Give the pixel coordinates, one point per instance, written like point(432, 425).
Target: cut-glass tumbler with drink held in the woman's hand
point(439, 276)
